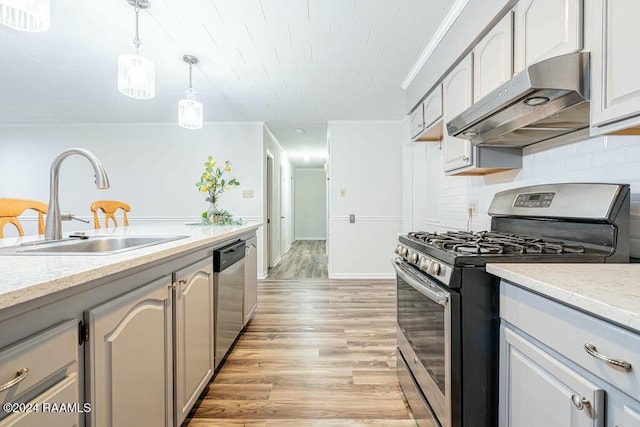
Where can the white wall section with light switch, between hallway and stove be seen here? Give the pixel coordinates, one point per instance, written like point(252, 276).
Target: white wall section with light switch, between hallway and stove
point(366, 162)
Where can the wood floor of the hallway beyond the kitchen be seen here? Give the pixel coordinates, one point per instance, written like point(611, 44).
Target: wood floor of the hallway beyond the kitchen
point(306, 259)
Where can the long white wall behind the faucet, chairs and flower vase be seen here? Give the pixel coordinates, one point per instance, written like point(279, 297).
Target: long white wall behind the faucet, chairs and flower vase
point(153, 167)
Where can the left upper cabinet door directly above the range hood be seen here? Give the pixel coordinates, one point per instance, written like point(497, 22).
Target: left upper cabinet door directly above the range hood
point(493, 58)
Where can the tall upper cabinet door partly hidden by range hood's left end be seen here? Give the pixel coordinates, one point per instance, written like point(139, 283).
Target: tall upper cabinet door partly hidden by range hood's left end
point(458, 96)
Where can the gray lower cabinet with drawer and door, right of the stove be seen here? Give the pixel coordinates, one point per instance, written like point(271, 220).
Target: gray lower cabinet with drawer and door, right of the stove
point(562, 367)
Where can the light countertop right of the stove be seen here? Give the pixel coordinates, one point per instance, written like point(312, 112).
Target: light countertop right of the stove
point(609, 291)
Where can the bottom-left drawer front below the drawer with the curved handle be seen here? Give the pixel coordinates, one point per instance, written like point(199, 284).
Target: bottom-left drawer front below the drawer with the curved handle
point(49, 412)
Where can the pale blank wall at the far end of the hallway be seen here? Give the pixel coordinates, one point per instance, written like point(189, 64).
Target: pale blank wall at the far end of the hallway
point(310, 204)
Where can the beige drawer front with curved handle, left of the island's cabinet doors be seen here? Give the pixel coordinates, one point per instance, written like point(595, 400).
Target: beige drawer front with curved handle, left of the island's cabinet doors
point(44, 357)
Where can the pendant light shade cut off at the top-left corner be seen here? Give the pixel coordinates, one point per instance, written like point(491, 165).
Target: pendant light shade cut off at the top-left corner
point(33, 16)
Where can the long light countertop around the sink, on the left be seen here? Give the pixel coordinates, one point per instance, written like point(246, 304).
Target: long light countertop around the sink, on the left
point(24, 278)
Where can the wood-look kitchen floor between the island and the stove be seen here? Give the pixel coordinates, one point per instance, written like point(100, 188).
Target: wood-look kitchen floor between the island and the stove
point(315, 354)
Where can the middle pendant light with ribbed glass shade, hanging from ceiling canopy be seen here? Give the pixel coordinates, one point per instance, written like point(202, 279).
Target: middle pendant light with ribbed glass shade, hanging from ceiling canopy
point(136, 73)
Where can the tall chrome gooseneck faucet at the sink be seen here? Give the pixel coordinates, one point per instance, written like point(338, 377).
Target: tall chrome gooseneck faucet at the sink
point(53, 227)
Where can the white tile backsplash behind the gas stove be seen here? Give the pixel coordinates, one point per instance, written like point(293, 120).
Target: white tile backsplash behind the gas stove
point(605, 159)
